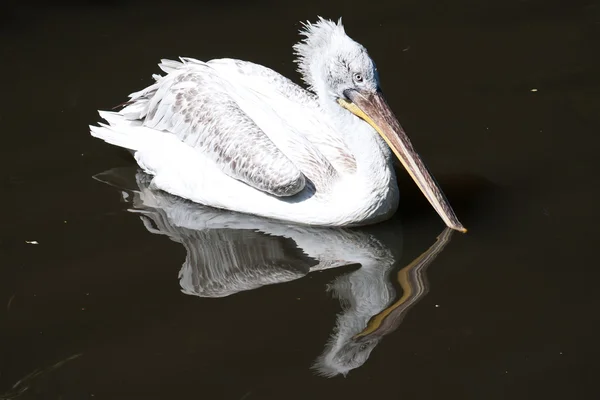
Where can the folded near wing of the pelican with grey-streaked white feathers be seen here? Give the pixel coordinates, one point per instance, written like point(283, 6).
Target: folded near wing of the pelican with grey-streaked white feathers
point(193, 103)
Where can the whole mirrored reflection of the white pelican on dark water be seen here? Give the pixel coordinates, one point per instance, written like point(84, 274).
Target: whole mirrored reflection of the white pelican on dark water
point(228, 252)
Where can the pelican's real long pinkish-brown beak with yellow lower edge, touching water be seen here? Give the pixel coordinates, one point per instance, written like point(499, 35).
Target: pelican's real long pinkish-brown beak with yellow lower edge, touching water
point(373, 108)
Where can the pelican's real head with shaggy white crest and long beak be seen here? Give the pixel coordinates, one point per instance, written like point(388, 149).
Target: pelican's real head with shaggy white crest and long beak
point(339, 69)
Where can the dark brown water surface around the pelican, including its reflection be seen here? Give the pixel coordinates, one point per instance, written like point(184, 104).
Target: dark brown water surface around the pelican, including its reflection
point(107, 306)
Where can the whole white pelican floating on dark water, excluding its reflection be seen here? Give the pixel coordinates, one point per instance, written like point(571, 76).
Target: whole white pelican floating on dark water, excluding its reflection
point(238, 136)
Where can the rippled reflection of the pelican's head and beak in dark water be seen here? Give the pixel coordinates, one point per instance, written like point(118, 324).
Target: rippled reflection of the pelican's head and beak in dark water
point(367, 316)
